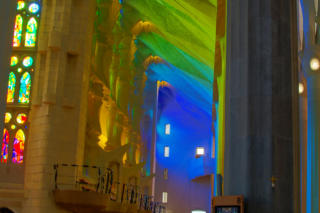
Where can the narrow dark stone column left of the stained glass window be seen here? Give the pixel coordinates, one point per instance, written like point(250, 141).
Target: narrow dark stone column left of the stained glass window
point(7, 11)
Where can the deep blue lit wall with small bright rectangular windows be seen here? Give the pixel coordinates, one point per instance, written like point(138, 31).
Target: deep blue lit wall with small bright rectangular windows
point(190, 128)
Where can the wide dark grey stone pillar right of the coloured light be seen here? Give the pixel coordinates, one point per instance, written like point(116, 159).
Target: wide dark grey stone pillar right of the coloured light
point(259, 123)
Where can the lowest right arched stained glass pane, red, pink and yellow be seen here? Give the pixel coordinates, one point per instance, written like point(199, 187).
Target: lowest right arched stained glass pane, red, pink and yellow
point(18, 147)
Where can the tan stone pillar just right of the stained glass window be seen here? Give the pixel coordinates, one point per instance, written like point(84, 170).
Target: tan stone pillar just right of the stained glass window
point(57, 117)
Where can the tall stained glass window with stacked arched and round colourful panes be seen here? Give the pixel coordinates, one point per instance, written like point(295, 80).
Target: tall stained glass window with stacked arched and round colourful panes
point(20, 79)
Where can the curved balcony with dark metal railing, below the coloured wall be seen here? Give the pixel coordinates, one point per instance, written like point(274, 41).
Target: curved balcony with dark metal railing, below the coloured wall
point(101, 180)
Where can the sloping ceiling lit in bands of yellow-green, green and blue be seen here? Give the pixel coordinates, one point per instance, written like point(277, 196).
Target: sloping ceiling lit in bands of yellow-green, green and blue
point(183, 36)
